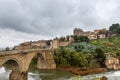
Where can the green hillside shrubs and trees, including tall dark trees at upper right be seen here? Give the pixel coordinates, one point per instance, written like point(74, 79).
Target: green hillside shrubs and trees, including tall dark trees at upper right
point(89, 54)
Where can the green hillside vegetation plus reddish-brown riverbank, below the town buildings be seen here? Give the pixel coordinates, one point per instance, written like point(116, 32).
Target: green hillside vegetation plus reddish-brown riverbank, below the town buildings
point(87, 57)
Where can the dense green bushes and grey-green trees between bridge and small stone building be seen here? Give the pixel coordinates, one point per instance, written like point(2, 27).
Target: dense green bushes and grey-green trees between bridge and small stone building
point(84, 54)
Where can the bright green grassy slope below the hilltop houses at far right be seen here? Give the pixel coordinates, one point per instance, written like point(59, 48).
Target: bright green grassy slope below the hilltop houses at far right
point(110, 46)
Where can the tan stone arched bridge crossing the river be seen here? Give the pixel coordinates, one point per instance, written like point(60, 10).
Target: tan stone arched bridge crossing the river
point(23, 59)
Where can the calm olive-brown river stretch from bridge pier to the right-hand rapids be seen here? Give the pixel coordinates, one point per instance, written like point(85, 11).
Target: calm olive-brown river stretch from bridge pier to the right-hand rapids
point(50, 75)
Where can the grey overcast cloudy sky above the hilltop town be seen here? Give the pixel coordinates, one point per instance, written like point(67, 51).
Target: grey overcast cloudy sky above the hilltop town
point(25, 20)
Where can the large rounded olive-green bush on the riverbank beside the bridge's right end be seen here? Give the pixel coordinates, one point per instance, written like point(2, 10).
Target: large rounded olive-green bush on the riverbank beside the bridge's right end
point(65, 56)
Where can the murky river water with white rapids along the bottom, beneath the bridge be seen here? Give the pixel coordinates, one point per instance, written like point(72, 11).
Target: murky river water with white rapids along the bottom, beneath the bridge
point(59, 75)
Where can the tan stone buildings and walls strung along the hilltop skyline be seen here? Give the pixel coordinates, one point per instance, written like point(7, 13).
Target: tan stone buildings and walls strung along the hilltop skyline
point(64, 41)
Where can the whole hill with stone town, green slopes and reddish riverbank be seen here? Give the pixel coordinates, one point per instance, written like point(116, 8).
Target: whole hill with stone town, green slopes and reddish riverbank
point(82, 53)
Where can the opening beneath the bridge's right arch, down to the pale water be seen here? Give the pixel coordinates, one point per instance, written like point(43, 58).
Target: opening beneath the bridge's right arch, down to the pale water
point(36, 65)
